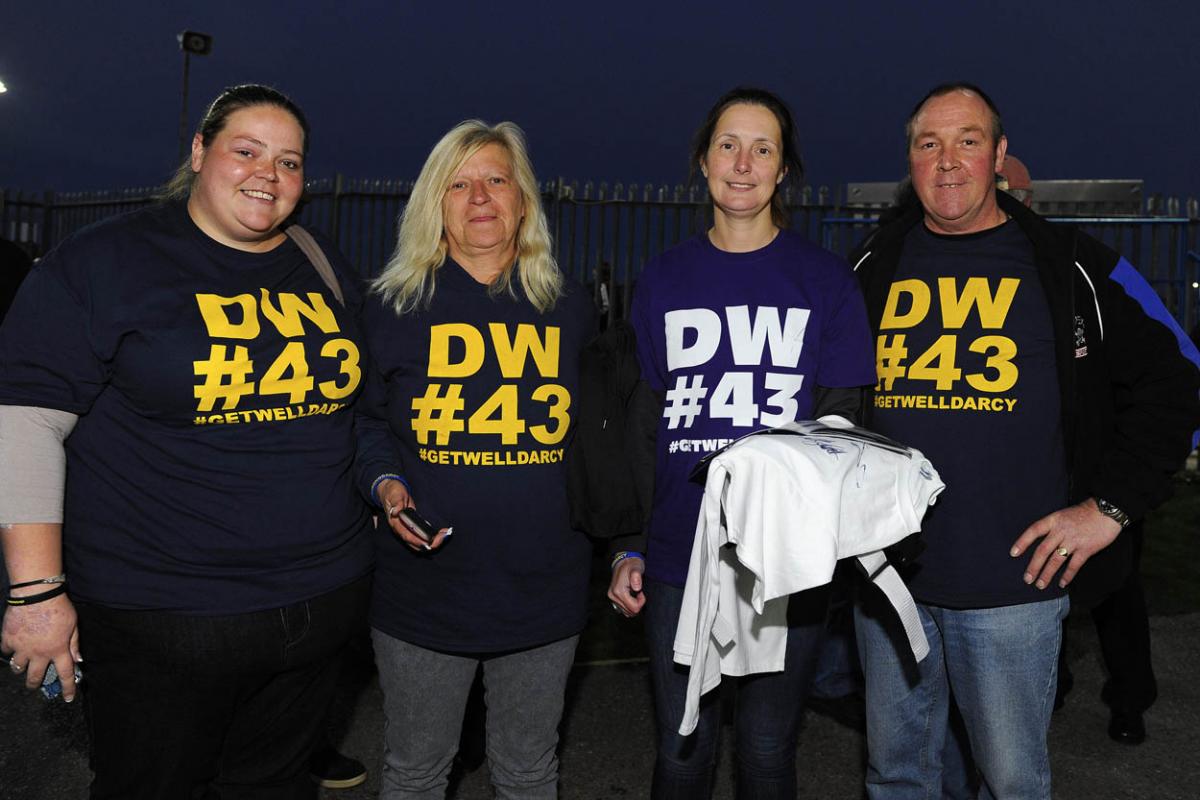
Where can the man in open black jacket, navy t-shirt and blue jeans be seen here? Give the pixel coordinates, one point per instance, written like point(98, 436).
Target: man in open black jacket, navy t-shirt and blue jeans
point(1057, 396)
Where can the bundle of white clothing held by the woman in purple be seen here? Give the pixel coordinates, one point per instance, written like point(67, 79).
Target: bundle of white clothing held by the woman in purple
point(790, 503)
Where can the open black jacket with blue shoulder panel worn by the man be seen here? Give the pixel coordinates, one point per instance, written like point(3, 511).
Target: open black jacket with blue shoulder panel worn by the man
point(1130, 396)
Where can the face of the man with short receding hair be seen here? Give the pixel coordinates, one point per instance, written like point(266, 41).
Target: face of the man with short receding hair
point(953, 164)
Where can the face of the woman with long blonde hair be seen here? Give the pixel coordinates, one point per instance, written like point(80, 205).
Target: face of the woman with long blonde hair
point(482, 212)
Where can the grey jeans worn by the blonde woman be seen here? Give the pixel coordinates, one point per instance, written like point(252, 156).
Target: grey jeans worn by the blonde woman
point(425, 697)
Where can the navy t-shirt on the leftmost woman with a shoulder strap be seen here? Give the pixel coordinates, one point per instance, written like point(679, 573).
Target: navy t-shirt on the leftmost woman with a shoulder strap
point(212, 467)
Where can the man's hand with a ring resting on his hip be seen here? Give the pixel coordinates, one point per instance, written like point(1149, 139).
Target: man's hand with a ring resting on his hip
point(1070, 537)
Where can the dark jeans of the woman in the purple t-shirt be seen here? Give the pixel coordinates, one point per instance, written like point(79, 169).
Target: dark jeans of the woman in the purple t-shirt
point(767, 708)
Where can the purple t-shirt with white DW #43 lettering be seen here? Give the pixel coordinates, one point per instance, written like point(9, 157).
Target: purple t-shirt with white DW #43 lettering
point(736, 342)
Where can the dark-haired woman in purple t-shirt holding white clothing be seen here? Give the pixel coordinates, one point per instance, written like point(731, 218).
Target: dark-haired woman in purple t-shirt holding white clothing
point(694, 311)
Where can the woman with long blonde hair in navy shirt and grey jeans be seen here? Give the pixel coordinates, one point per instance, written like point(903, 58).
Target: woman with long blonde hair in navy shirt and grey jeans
point(476, 340)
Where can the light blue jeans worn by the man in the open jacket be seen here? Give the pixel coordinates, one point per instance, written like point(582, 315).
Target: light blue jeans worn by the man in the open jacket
point(1000, 664)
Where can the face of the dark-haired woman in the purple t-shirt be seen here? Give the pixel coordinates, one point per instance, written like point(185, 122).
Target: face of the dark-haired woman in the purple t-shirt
point(745, 164)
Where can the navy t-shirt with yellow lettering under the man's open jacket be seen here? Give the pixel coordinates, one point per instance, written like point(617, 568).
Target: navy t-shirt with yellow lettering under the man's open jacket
point(967, 375)
